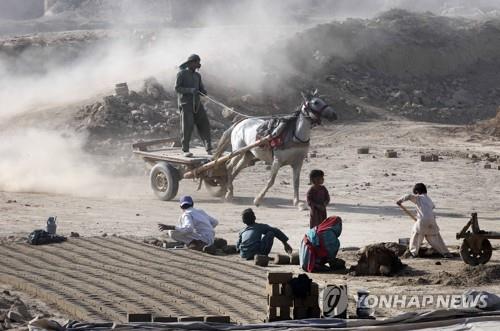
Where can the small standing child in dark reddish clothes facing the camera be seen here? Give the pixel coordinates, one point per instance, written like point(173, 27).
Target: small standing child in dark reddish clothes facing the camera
point(317, 198)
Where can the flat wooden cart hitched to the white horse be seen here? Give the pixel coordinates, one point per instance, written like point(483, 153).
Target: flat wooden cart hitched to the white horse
point(170, 166)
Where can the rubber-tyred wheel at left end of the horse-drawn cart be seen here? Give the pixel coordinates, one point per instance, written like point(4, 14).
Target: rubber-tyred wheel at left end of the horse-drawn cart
point(164, 181)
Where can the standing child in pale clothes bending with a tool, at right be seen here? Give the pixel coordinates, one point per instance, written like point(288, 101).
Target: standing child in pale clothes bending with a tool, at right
point(425, 226)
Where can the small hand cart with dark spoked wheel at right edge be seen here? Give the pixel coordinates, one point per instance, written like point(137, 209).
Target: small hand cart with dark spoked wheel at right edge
point(476, 248)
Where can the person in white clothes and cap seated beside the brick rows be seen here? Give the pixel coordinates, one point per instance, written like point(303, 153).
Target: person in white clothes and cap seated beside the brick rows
point(195, 229)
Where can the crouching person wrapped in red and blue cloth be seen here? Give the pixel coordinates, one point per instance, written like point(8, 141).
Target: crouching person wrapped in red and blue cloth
point(321, 245)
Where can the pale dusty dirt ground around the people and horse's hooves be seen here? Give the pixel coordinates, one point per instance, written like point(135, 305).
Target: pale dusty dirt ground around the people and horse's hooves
point(363, 187)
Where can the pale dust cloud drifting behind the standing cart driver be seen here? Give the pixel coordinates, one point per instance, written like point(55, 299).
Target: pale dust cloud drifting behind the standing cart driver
point(234, 52)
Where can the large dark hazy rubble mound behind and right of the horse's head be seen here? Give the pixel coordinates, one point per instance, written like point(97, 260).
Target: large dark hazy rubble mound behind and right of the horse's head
point(422, 66)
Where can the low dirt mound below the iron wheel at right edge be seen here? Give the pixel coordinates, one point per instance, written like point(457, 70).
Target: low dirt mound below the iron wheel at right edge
point(468, 276)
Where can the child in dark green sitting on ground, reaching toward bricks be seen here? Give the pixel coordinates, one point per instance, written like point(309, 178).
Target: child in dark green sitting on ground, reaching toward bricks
point(258, 238)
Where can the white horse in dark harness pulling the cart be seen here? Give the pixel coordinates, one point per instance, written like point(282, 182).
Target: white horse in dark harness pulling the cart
point(293, 153)
